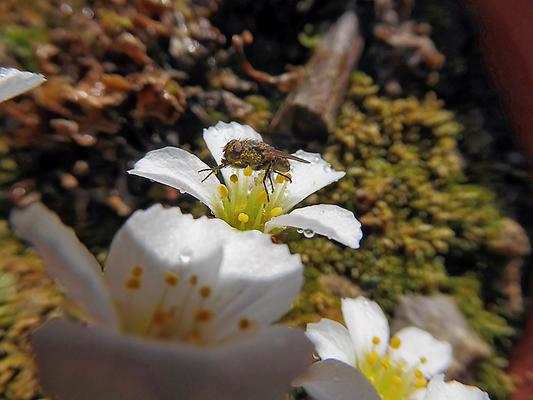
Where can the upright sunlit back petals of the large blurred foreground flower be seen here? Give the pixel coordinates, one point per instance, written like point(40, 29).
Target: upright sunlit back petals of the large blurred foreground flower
point(248, 275)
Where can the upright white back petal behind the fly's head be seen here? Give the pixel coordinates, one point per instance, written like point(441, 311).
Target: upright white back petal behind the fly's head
point(217, 136)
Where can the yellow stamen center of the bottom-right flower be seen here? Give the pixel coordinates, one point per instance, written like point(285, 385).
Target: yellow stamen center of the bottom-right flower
point(392, 379)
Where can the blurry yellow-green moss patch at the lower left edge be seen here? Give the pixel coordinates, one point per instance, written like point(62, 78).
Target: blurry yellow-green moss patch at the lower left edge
point(27, 298)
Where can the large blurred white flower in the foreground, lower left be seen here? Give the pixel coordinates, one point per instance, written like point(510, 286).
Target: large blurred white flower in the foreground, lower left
point(181, 300)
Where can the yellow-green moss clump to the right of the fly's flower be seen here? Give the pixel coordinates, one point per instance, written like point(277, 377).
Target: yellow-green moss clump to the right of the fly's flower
point(426, 227)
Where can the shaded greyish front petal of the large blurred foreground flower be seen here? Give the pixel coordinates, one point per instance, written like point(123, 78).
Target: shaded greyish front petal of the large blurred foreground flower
point(86, 363)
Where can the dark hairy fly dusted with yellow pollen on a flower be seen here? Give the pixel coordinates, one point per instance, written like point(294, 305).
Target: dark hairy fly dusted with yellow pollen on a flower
point(258, 156)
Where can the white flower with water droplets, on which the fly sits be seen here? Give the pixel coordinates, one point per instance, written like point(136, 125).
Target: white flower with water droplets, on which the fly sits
point(242, 201)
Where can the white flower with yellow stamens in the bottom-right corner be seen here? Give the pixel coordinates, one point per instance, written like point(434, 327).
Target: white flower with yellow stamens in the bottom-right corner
point(398, 367)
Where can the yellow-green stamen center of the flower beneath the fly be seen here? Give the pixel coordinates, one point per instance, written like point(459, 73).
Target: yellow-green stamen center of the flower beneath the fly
point(243, 202)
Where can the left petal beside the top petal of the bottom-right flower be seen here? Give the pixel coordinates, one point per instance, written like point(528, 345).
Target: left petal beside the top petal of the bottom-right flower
point(332, 340)
